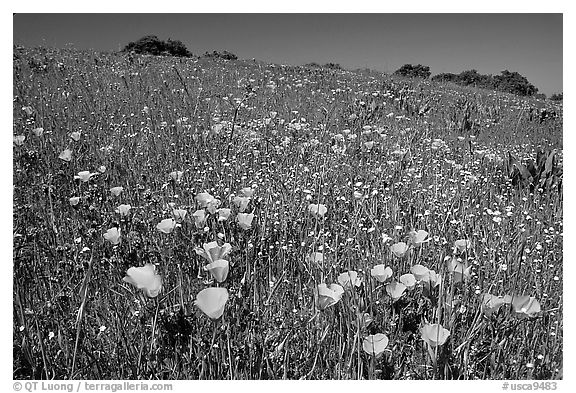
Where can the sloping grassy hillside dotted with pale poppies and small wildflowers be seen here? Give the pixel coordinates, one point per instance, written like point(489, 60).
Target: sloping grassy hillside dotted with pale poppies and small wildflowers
point(342, 171)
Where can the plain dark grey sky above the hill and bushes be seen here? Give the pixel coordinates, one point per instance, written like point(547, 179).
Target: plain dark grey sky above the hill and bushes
point(530, 44)
